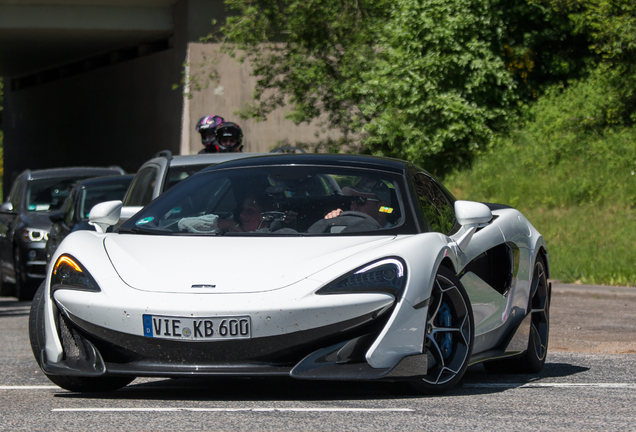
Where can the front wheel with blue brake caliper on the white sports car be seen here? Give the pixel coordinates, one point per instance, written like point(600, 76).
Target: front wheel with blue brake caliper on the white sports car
point(448, 336)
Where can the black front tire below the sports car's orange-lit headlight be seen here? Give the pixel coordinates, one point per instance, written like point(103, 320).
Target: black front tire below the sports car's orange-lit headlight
point(71, 383)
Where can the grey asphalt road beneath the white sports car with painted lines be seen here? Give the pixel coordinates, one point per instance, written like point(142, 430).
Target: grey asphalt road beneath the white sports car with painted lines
point(588, 383)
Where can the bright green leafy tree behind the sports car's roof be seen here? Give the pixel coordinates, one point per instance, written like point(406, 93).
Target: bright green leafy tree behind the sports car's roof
point(440, 87)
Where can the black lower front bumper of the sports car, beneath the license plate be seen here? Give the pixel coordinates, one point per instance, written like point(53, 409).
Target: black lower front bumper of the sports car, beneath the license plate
point(335, 351)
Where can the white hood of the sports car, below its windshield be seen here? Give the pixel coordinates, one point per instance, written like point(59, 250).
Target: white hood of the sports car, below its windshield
point(226, 264)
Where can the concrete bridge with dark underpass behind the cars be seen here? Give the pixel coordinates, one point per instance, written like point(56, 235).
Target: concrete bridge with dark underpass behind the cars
point(90, 82)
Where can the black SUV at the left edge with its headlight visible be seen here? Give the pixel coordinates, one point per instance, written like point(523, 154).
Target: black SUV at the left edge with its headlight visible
point(25, 224)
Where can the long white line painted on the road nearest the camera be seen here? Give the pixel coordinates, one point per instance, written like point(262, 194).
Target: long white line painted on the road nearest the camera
point(233, 410)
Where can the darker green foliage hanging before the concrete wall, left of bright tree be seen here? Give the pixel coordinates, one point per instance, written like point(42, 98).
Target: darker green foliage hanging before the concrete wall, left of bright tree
point(308, 54)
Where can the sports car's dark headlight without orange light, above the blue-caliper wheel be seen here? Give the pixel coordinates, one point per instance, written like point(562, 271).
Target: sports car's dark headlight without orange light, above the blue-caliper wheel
point(387, 275)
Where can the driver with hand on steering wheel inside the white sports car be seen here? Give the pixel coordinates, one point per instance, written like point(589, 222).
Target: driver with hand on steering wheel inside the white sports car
point(369, 196)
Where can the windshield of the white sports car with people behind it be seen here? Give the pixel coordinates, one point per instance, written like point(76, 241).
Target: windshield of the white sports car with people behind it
point(289, 200)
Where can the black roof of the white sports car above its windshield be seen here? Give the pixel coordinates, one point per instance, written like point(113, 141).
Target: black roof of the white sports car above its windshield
point(345, 160)
